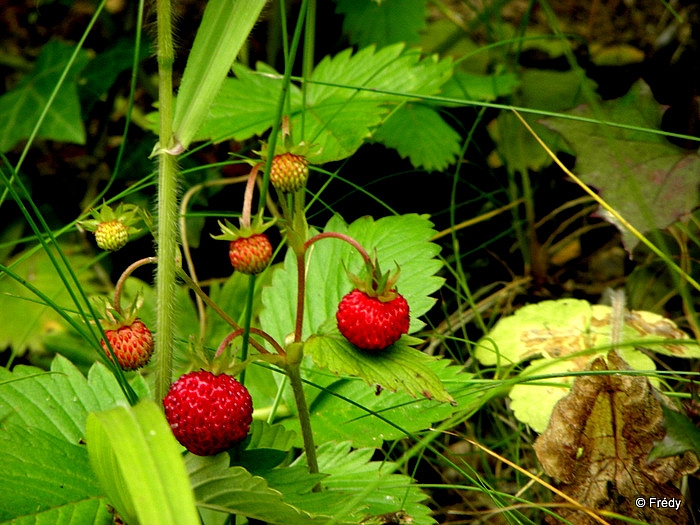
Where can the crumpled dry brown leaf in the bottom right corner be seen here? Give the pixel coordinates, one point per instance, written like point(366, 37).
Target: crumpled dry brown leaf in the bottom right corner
point(597, 444)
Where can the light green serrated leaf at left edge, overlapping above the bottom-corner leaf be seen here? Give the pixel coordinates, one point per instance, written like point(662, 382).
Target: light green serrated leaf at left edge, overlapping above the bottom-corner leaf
point(56, 402)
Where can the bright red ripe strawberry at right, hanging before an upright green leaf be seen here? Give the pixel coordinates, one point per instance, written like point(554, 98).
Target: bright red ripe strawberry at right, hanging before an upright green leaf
point(370, 323)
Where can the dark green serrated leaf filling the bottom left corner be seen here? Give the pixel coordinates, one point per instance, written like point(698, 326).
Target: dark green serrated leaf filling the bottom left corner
point(44, 475)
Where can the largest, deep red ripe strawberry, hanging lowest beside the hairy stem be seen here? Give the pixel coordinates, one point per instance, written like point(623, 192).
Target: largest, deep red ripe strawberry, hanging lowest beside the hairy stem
point(208, 413)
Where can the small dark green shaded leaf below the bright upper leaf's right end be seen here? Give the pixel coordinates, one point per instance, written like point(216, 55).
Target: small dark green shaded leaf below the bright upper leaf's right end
point(419, 133)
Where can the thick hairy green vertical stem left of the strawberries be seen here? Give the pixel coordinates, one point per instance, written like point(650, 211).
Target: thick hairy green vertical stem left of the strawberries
point(166, 234)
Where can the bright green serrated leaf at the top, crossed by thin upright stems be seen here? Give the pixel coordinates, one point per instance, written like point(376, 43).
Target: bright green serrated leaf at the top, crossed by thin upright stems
point(344, 99)
